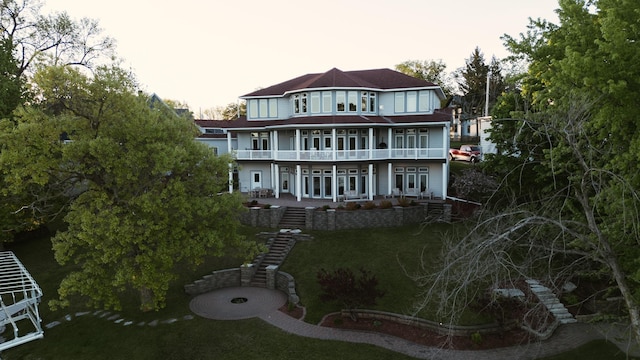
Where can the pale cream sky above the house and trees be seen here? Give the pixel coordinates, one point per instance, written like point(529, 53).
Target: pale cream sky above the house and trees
point(207, 53)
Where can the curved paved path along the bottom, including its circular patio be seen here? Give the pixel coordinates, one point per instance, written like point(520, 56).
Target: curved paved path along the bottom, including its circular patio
point(229, 304)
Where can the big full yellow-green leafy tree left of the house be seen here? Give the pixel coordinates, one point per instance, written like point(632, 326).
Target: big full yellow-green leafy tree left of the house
point(143, 195)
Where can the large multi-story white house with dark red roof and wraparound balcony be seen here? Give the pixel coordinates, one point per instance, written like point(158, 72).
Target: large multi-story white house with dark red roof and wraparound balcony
point(325, 135)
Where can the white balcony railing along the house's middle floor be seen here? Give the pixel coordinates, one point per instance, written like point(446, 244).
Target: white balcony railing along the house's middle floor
point(343, 155)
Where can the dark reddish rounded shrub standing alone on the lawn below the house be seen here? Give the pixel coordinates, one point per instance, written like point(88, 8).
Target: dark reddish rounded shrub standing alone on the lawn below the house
point(348, 289)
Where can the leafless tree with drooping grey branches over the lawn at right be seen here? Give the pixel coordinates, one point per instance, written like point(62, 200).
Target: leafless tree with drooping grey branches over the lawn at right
point(564, 235)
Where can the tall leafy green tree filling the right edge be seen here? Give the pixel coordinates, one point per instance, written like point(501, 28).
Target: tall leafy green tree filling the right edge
point(580, 139)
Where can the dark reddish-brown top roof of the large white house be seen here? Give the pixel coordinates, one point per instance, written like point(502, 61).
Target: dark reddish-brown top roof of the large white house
point(382, 79)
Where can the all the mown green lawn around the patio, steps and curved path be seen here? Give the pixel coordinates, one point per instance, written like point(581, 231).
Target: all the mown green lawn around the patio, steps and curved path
point(91, 337)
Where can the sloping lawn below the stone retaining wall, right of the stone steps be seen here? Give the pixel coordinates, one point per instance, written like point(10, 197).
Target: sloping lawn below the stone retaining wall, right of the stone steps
point(391, 254)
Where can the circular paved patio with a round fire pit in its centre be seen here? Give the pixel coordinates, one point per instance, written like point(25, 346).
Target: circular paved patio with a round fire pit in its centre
point(237, 303)
